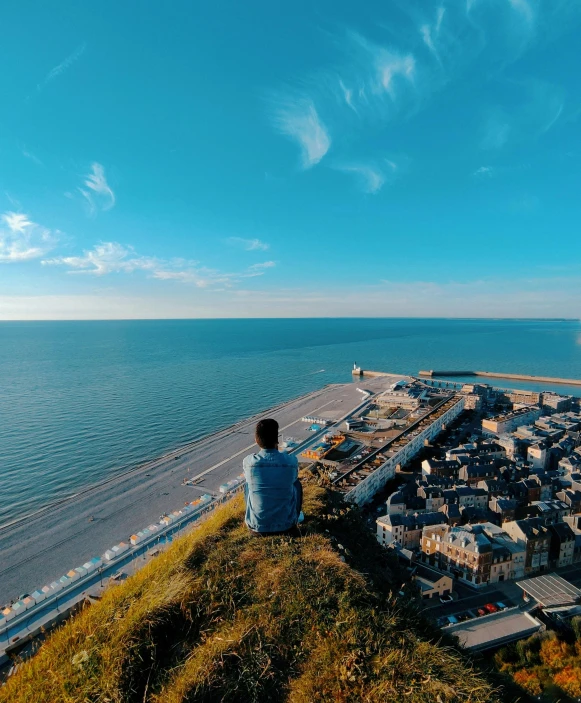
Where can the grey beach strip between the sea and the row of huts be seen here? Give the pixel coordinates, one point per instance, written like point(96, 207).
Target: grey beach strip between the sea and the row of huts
point(41, 548)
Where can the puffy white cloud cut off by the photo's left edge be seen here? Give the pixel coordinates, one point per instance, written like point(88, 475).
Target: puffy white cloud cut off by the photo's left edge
point(21, 239)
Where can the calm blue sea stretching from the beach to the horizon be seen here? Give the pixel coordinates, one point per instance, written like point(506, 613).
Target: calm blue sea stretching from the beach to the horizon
point(82, 400)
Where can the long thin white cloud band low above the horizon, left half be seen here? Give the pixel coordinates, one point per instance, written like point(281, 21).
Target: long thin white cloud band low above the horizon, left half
point(115, 258)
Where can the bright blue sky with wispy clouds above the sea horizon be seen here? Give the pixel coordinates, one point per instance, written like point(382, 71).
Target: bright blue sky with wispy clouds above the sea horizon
point(307, 159)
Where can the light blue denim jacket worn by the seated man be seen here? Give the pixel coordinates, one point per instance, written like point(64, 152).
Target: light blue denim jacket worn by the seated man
point(271, 502)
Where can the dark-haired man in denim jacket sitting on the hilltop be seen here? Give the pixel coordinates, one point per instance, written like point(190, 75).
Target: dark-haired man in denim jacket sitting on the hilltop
point(274, 494)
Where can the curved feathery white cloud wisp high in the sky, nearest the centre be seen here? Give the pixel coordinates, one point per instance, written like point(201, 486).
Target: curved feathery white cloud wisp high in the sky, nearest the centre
point(298, 119)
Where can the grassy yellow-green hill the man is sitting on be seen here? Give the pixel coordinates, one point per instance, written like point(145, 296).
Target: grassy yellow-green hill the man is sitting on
point(225, 616)
